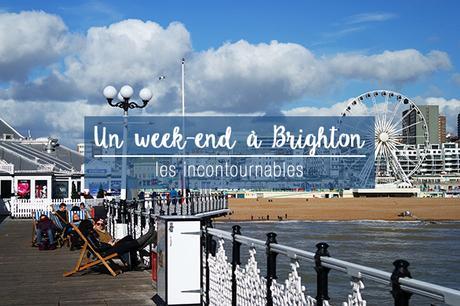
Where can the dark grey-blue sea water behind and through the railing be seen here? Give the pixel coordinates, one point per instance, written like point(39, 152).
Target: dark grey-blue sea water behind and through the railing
point(432, 249)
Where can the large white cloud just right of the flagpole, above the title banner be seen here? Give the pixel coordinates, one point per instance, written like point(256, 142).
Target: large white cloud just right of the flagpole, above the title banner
point(243, 77)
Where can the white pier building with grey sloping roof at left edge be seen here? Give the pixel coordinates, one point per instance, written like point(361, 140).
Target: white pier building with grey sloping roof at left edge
point(37, 169)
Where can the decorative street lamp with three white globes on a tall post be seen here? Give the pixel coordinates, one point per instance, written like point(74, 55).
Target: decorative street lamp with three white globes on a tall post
point(124, 96)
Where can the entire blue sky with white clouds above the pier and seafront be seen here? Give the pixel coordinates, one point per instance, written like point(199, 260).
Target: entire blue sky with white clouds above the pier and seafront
point(242, 57)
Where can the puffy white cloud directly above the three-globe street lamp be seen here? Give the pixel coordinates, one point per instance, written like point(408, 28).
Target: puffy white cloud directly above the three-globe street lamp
point(128, 51)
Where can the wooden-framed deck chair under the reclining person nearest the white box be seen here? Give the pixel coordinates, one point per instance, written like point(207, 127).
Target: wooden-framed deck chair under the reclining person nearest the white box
point(90, 257)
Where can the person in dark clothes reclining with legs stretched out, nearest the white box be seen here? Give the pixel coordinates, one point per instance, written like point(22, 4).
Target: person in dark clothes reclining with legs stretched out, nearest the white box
point(125, 247)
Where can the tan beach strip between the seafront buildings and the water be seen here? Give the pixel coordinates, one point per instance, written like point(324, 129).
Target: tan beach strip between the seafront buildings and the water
point(436, 209)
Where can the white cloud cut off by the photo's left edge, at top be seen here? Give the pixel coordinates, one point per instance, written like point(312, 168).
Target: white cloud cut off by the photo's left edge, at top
point(30, 40)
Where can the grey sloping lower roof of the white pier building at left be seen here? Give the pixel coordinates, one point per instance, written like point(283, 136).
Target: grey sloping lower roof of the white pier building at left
point(30, 155)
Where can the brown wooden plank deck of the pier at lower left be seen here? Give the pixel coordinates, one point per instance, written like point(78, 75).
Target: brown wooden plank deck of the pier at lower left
point(32, 277)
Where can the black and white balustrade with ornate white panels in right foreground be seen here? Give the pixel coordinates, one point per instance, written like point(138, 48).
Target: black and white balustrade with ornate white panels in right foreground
point(228, 282)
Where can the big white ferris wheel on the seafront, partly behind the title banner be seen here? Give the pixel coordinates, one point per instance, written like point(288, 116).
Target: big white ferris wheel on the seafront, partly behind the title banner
point(400, 128)
